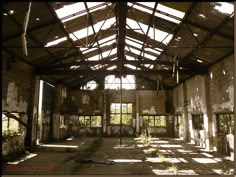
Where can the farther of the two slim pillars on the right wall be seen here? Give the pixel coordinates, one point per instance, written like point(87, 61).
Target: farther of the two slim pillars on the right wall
point(185, 117)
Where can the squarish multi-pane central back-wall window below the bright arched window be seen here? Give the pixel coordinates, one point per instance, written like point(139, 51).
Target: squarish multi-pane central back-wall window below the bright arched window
point(127, 111)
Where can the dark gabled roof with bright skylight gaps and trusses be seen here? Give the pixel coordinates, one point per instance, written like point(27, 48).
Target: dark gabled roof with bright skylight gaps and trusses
point(77, 42)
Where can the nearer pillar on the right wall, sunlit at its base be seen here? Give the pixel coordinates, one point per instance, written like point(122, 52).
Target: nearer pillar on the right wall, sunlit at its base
point(208, 113)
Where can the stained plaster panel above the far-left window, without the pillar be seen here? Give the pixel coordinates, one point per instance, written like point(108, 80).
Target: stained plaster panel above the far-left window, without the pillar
point(17, 81)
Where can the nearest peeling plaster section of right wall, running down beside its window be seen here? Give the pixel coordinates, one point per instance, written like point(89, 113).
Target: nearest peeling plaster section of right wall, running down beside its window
point(222, 95)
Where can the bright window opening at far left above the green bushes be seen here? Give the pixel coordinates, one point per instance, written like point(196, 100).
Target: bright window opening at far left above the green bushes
point(10, 123)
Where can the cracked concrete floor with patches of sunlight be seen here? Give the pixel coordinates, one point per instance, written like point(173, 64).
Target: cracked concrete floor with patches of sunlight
point(131, 158)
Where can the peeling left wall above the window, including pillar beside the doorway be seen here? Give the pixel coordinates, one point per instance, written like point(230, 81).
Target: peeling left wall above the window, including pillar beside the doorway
point(18, 87)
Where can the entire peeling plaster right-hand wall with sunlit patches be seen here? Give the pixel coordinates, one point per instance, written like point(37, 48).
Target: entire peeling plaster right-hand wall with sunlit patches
point(221, 91)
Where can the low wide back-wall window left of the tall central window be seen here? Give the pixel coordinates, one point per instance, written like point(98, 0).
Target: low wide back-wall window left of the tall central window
point(90, 121)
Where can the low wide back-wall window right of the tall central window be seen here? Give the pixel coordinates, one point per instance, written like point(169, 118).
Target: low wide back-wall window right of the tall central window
point(154, 121)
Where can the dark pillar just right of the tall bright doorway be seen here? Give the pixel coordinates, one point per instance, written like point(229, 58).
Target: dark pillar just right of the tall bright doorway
point(56, 113)
